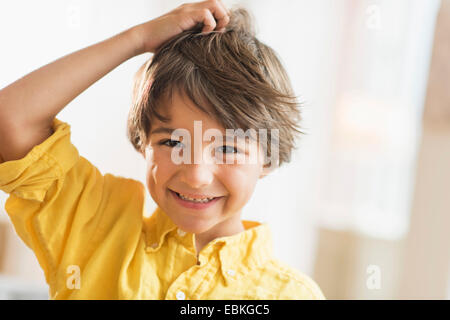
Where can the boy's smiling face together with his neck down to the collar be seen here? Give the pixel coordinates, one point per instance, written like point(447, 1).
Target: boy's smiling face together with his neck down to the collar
point(230, 185)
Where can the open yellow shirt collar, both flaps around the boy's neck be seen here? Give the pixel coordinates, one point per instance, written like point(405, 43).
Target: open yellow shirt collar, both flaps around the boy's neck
point(238, 253)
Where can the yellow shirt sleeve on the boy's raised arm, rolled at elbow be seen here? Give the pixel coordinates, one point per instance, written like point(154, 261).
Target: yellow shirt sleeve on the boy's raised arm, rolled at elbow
point(62, 207)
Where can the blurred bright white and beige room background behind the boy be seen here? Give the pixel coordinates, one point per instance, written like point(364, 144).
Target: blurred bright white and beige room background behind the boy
point(364, 206)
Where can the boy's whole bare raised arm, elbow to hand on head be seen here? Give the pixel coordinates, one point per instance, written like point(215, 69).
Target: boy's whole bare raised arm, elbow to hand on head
point(29, 105)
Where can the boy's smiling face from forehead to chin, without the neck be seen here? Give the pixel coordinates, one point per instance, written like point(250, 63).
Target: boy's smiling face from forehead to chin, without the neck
point(231, 182)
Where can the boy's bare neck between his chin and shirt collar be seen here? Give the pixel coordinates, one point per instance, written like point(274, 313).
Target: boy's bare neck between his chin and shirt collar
point(225, 228)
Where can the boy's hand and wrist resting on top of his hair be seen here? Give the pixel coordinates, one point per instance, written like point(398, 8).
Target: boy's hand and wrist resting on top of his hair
point(211, 13)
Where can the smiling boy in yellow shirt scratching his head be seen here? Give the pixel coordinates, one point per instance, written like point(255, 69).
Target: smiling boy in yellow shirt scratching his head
point(87, 229)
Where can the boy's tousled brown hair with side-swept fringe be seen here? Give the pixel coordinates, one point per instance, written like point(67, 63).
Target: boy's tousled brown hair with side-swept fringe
point(240, 79)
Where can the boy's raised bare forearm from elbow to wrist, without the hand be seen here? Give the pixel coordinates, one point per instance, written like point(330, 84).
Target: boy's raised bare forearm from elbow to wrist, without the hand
point(29, 105)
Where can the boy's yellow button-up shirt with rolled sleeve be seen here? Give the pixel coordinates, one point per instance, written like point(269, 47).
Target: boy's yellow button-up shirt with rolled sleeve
point(93, 241)
